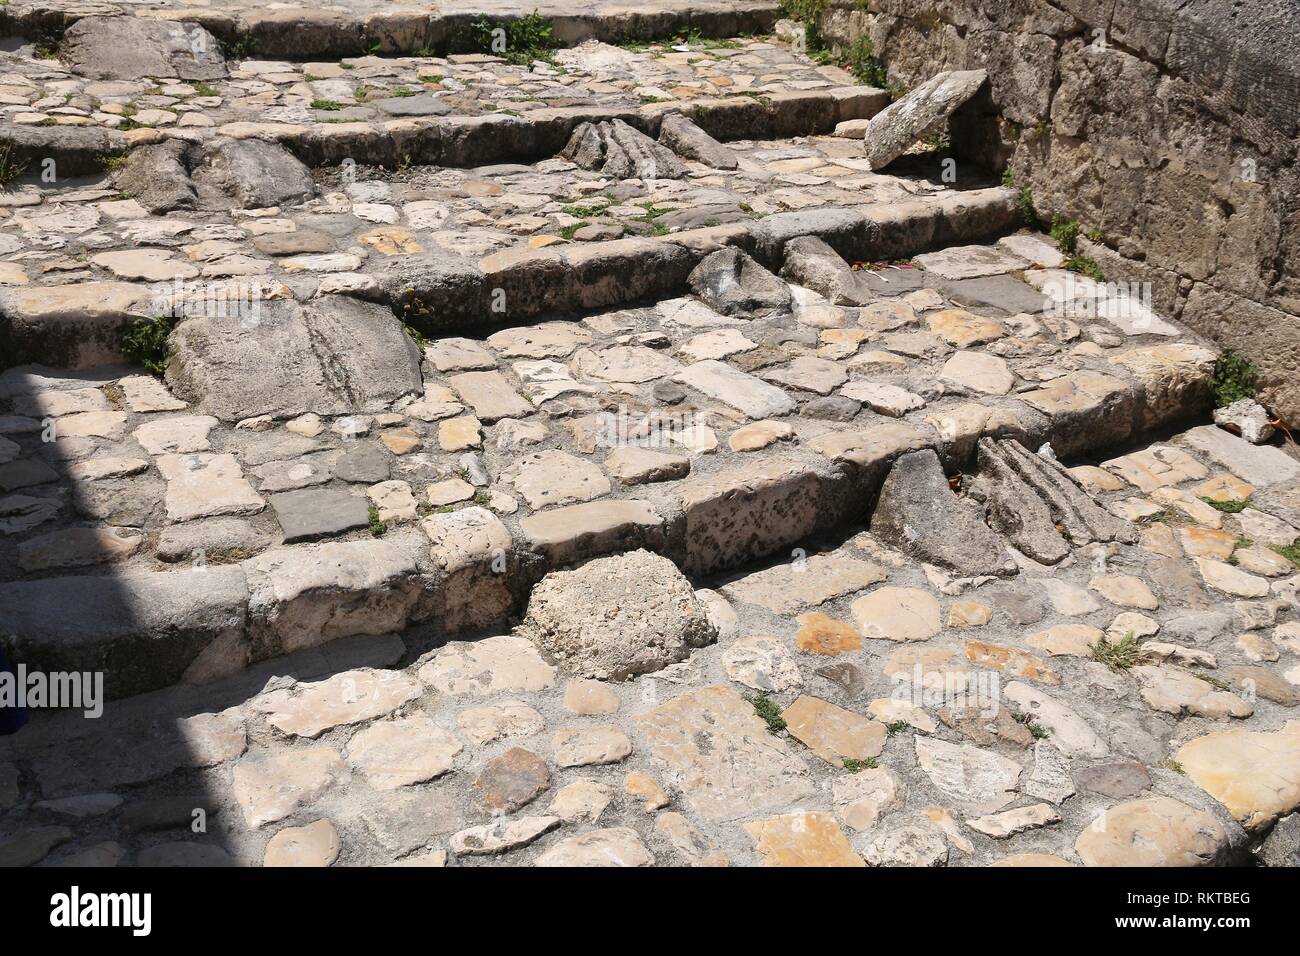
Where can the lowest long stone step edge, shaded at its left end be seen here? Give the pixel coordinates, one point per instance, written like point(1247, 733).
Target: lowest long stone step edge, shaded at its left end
point(467, 570)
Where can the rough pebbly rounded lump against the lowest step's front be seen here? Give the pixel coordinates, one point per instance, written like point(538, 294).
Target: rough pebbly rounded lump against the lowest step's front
point(618, 617)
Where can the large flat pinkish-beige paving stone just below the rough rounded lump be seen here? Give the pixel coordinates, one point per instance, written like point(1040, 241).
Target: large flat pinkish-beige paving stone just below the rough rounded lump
point(720, 755)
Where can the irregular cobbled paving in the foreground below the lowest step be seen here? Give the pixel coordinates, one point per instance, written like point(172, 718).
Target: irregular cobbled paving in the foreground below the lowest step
point(995, 737)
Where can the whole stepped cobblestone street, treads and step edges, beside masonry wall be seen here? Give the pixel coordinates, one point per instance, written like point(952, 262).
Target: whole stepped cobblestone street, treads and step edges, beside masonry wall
point(787, 512)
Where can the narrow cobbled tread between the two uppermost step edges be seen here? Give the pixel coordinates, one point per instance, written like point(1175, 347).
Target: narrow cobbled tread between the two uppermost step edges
point(378, 90)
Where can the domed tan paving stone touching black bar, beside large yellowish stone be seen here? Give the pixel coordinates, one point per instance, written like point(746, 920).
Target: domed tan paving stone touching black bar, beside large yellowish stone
point(1155, 832)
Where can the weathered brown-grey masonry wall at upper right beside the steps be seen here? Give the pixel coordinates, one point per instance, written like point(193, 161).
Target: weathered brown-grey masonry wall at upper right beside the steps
point(1168, 127)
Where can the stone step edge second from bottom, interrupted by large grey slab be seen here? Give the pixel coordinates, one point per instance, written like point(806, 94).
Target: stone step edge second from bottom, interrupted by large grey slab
point(452, 293)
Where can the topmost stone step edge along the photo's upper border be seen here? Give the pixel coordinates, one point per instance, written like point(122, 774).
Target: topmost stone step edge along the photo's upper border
point(305, 33)
